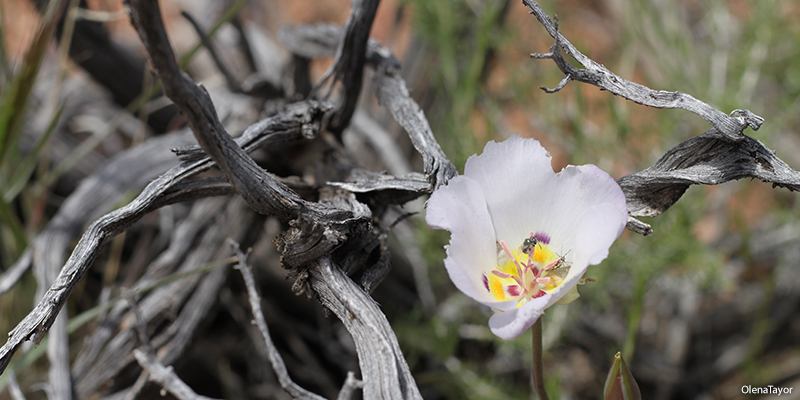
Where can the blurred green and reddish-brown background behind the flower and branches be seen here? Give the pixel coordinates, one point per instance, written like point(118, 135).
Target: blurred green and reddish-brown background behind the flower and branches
point(710, 302)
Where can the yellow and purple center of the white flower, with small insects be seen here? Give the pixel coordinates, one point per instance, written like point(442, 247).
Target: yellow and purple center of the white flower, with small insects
point(527, 272)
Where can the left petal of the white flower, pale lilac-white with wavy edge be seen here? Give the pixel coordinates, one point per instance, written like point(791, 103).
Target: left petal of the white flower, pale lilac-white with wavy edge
point(460, 208)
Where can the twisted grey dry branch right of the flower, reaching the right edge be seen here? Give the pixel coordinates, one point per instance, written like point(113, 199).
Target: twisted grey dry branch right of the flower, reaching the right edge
point(719, 155)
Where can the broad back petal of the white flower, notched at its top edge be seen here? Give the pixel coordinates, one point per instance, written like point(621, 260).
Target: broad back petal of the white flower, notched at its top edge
point(524, 195)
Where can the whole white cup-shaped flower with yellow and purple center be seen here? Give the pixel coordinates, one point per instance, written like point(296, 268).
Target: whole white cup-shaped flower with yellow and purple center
point(523, 236)
